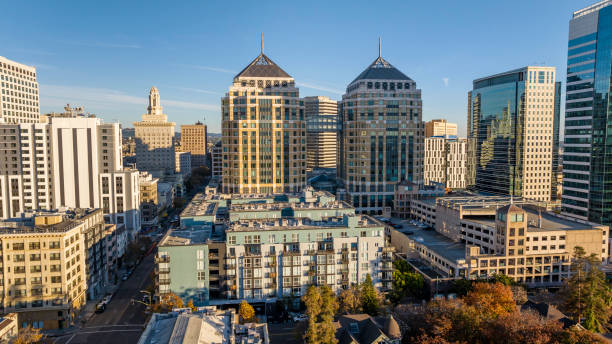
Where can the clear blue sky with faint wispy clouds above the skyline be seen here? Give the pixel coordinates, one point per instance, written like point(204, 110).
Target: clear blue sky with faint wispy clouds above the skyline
point(106, 55)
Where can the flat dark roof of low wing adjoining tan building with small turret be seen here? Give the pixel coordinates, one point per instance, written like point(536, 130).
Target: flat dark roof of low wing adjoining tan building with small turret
point(438, 243)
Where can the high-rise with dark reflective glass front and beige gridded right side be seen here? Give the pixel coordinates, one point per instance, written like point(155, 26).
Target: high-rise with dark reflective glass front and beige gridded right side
point(511, 122)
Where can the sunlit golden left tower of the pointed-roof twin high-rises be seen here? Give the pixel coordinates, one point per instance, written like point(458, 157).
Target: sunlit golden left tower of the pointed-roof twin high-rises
point(264, 132)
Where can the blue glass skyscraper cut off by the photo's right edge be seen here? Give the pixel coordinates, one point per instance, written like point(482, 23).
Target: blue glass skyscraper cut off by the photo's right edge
point(587, 178)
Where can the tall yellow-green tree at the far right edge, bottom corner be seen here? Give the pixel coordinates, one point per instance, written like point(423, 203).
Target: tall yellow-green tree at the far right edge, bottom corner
point(587, 293)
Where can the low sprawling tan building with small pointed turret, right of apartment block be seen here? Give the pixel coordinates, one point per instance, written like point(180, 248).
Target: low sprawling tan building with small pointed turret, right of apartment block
point(478, 237)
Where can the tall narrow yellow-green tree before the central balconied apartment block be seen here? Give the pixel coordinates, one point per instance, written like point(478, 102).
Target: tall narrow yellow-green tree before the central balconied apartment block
point(321, 306)
